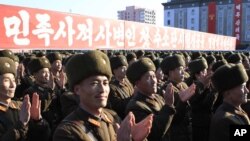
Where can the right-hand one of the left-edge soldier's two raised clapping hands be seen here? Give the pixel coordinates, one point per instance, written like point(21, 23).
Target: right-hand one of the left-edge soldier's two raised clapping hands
point(35, 109)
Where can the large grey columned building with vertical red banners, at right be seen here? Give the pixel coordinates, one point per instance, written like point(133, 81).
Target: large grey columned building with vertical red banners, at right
point(224, 17)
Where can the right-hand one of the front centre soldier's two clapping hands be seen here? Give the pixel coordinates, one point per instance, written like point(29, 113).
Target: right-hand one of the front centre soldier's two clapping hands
point(141, 130)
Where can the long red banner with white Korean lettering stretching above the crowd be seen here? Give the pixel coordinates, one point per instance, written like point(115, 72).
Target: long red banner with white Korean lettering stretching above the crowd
point(27, 28)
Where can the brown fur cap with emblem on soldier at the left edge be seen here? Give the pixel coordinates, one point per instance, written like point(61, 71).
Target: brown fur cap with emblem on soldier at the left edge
point(7, 65)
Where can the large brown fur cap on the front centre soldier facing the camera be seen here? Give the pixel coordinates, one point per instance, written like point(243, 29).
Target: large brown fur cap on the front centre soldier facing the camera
point(82, 66)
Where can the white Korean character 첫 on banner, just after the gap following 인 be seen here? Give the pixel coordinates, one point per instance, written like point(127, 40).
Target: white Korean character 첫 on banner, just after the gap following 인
point(145, 37)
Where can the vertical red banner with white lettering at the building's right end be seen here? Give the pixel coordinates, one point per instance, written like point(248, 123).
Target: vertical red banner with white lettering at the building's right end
point(237, 19)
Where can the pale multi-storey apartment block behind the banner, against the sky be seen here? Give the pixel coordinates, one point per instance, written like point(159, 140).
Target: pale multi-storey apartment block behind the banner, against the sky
point(137, 14)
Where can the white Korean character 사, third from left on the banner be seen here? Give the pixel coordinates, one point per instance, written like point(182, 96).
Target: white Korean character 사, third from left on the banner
point(69, 33)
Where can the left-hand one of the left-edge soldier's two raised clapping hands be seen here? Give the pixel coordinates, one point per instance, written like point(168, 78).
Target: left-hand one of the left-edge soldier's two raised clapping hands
point(24, 115)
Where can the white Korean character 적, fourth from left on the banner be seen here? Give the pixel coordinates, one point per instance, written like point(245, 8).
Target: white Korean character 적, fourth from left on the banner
point(86, 32)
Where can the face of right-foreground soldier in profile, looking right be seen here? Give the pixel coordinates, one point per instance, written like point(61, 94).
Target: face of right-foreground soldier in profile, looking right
point(238, 95)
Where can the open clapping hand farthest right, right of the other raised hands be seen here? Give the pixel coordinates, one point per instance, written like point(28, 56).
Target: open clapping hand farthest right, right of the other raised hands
point(186, 94)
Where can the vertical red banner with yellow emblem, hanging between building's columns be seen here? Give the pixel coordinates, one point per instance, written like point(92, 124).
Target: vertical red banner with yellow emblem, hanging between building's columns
point(211, 17)
